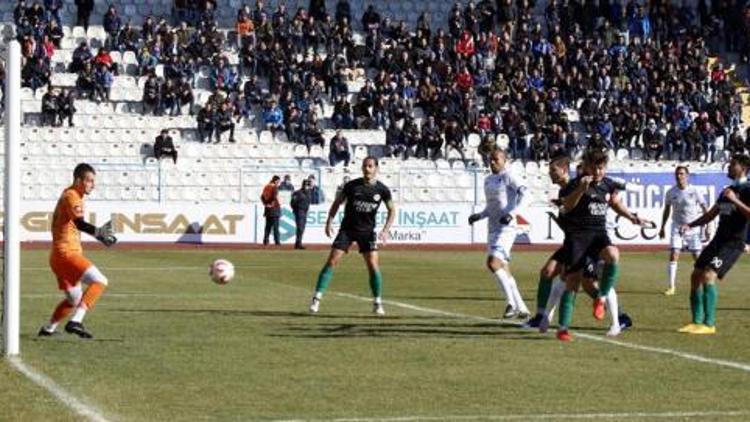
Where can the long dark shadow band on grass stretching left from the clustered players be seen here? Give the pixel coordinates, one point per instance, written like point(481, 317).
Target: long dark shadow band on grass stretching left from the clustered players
point(416, 329)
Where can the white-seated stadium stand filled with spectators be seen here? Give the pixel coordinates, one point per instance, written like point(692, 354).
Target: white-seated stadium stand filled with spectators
point(532, 77)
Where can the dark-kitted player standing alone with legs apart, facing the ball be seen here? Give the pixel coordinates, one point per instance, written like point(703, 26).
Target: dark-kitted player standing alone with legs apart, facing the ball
point(363, 197)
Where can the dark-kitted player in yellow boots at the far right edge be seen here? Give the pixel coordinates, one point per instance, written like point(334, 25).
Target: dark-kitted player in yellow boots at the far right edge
point(733, 207)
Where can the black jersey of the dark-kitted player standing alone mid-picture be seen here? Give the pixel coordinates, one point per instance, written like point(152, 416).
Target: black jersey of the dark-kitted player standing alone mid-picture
point(362, 202)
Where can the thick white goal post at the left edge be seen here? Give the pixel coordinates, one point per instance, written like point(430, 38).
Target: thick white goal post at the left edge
point(11, 229)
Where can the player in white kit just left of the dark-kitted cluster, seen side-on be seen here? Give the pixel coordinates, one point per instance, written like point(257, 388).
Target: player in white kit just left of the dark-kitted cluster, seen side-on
point(504, 194)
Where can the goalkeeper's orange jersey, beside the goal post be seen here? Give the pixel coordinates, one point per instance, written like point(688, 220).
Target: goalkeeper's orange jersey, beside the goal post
point(66, 239)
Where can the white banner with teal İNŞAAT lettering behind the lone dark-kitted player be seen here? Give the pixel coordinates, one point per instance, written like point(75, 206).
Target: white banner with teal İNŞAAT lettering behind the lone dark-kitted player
point(415, 223)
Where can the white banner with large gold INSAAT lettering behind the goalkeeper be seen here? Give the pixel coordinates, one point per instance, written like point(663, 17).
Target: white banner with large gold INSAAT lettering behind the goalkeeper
point(151, 221)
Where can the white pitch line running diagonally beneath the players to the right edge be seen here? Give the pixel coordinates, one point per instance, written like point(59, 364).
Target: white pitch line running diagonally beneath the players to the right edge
point(664, 351)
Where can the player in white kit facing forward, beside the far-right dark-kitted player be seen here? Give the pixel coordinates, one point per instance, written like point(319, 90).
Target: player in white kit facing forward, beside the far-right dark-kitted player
point(687, 205)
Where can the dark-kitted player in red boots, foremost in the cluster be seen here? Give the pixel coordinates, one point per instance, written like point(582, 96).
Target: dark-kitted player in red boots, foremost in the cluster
point(585, 201)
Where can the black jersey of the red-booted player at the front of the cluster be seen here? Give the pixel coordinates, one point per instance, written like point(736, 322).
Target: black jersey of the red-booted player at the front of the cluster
point(590, 214)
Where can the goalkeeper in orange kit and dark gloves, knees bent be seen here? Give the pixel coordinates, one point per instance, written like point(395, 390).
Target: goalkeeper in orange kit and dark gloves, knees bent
point(67, 260)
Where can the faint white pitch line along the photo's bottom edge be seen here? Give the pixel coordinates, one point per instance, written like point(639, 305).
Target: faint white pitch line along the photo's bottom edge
point(537, 416)
